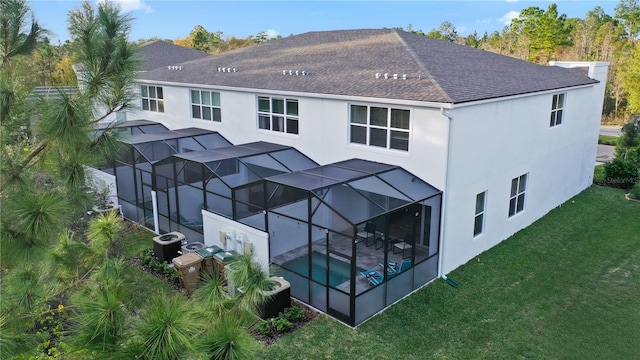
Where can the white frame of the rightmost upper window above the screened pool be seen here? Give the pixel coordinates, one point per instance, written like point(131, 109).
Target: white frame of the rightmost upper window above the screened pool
point(370, 128)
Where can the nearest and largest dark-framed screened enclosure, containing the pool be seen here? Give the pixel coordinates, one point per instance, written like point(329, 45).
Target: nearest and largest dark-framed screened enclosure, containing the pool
point(353, 237)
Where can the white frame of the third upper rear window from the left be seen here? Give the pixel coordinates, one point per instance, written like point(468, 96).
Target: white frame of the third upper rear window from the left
point(279, 122)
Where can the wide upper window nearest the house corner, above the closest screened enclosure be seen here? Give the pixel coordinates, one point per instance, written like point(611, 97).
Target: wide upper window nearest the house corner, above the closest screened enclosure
point(380, 126)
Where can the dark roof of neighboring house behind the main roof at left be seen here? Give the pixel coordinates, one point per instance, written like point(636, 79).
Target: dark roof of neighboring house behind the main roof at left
point(155, 54)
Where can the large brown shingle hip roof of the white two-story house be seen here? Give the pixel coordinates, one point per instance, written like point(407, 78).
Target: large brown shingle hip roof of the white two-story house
point(345, 62)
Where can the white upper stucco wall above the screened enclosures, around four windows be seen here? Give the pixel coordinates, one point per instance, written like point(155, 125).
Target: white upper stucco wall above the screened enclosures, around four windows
point(323, 129)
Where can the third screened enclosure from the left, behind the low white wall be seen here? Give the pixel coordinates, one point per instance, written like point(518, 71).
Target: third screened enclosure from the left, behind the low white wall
point(227, 181)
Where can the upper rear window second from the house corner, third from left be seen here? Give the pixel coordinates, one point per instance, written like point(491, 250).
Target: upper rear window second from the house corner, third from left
point(278, 114)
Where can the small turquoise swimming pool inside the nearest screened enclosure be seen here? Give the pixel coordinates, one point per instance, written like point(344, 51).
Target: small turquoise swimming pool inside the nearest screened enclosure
point(339, 271)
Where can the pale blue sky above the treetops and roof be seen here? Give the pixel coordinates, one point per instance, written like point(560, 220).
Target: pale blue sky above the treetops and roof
point(175, 19)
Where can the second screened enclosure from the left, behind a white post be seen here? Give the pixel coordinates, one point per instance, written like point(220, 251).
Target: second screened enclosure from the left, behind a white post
point(132, 167)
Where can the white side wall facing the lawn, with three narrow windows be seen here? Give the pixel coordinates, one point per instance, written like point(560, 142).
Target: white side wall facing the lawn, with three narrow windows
point(495, 142)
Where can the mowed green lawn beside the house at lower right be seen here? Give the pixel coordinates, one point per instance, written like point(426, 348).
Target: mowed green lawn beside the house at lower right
point(567, 287)
